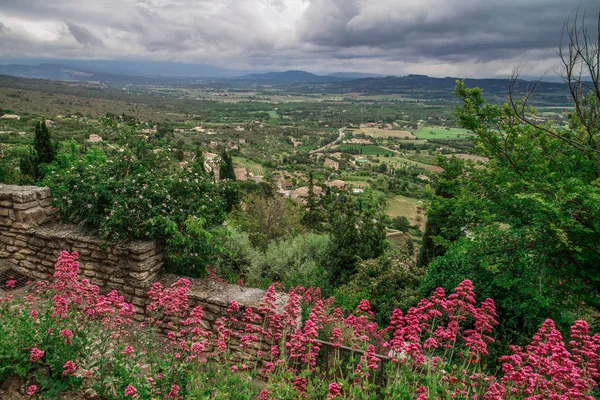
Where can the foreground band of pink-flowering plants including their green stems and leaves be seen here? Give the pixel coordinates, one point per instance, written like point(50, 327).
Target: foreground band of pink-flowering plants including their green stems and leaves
point(66, 336)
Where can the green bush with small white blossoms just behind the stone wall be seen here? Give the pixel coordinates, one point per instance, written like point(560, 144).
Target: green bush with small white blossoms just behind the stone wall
point(147, 197)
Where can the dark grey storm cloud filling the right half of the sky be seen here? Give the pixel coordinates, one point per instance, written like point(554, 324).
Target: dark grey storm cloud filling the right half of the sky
point(485, 30)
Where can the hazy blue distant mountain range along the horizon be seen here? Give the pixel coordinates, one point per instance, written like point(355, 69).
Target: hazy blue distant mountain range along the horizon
point(411, 86)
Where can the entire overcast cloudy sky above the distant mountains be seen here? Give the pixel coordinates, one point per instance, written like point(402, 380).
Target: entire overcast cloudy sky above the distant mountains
point(479, 38)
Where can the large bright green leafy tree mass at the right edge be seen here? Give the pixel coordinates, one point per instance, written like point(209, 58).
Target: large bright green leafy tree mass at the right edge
point(525, 229)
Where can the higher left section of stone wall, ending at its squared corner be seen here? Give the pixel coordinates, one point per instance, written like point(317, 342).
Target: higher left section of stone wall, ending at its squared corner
point(30, 244)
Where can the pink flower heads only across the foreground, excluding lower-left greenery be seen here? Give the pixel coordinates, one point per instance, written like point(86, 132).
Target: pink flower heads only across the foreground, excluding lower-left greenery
point(437, 336)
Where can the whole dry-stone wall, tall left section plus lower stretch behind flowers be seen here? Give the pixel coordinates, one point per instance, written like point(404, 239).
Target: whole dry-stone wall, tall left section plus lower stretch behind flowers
point(30, 244)
